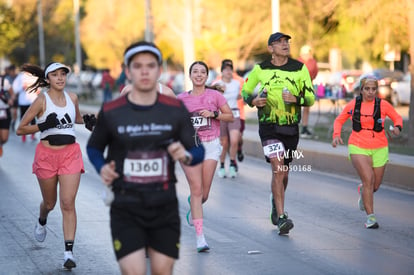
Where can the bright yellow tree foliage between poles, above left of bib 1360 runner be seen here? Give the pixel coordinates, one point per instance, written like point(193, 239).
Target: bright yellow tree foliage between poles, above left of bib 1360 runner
point(108, 28)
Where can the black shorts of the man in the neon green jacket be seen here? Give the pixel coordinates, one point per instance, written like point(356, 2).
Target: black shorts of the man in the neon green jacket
point(288, 135)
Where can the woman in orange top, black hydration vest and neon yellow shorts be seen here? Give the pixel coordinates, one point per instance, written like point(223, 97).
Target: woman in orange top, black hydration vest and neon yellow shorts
point(368, 144)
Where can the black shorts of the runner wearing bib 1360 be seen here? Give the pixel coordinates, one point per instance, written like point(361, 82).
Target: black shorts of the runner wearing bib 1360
point(135, 226)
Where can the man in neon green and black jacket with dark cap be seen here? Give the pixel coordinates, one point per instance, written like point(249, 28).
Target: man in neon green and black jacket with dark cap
point(285, 86)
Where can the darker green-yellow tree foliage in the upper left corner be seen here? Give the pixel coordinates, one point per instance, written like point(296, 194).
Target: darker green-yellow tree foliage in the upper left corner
point(21, 19)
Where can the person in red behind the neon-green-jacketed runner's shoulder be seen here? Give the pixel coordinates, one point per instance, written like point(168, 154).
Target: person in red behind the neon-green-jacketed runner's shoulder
point(307, 58)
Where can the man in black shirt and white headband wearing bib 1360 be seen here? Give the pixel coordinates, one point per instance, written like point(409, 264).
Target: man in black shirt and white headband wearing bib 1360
point(145, 133)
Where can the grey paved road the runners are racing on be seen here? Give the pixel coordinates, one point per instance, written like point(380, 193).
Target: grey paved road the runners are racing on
point(328, 238)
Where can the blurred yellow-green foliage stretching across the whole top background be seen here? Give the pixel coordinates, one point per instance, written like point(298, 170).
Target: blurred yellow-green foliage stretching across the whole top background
point(222, 29)
